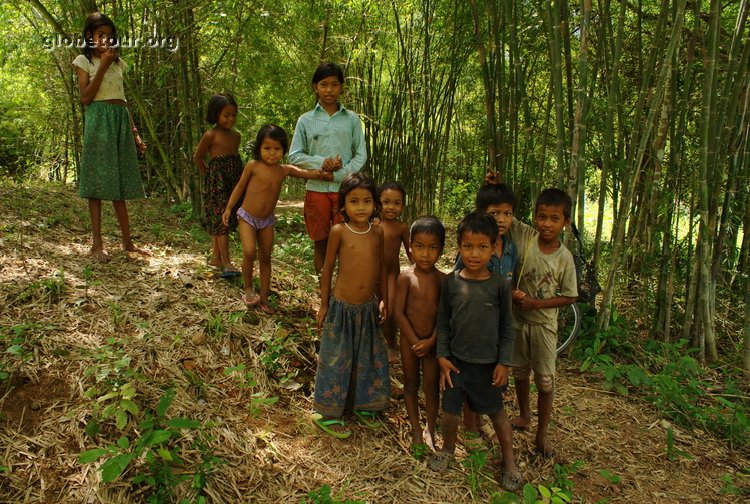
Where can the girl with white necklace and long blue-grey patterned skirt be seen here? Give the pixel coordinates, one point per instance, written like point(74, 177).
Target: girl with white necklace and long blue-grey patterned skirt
point(353, 362)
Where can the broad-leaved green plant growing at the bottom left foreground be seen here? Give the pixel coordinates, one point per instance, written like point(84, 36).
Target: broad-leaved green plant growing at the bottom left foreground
point(159, 446)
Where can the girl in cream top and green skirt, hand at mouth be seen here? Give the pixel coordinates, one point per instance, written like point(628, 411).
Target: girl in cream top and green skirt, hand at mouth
point(109, 162)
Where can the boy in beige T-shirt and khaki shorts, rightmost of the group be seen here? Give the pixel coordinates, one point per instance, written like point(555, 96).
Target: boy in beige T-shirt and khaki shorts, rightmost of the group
point(546, 280)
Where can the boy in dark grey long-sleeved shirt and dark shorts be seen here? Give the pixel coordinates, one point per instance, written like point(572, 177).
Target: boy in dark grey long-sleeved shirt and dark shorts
point(475, 343)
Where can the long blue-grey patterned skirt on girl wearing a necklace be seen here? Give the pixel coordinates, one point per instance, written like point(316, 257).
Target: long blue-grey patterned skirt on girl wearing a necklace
point(352, 362)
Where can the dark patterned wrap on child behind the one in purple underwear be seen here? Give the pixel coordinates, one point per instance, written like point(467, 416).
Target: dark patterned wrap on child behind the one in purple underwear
point(222, 174)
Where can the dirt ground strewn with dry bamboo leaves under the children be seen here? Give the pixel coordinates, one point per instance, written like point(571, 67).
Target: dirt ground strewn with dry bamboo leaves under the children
point(67, 323)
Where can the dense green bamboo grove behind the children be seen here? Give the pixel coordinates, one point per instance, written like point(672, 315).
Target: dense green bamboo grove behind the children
point(638, 109)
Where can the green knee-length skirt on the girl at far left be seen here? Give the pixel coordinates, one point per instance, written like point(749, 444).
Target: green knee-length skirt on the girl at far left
point(109, 162)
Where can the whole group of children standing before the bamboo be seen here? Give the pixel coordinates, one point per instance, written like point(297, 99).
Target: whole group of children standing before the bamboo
point(463, 332)
